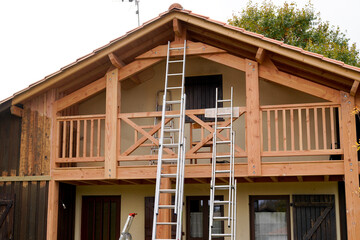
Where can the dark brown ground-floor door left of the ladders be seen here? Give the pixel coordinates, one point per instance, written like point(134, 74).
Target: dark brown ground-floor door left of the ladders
point(100, 218)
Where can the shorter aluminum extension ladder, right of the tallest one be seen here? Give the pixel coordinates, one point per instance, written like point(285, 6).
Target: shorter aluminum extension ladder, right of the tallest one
point(228, 161)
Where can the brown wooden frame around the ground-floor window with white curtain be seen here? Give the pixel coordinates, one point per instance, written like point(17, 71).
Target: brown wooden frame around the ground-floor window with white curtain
point(253, 198)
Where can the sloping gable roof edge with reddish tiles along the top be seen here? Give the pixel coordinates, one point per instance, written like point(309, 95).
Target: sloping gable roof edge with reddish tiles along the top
point(176, 11)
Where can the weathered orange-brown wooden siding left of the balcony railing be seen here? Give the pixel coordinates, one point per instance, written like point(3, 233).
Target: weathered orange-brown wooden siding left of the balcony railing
point(36, 136)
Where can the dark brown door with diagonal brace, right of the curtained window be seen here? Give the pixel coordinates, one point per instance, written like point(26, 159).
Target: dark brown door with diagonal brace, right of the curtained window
point(314, 217)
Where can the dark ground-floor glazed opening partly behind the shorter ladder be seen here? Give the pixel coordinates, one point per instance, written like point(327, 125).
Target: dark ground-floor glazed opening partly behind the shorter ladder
point(197, 217)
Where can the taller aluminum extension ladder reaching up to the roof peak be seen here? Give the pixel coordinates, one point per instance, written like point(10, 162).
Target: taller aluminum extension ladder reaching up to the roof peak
point(171, 84)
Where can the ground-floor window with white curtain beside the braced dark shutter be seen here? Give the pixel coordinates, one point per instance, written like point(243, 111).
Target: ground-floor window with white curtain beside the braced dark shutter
point(269, 217)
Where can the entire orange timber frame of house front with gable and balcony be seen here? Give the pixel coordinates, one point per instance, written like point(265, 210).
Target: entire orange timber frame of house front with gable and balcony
point(87, 148)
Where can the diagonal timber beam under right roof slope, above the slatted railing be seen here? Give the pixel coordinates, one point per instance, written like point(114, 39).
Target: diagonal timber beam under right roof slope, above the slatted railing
point(268, 72)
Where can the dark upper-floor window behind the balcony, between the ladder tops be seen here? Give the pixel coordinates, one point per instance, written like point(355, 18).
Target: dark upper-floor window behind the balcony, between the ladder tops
point(200, 93)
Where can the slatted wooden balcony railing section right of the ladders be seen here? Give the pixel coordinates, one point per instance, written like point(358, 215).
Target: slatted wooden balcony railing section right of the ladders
point(300, 130)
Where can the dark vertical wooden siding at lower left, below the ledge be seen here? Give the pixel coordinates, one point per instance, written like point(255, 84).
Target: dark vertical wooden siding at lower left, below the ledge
point(29, 210)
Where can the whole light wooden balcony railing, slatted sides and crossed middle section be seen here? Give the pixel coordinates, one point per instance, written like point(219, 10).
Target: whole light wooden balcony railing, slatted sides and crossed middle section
point(301, 130)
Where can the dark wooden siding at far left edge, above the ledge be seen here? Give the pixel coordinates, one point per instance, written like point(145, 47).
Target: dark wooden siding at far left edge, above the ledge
point(10, 128)
